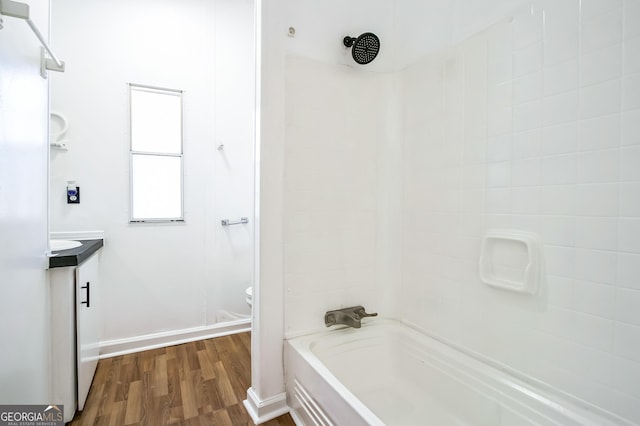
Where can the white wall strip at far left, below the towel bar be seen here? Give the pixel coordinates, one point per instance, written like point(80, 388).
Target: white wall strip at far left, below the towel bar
point(24, 305)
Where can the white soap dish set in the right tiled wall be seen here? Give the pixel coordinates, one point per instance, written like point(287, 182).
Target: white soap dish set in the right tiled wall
point(511, 260)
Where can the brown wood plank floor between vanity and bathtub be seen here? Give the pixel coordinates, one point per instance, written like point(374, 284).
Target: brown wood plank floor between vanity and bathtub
point(199, 383)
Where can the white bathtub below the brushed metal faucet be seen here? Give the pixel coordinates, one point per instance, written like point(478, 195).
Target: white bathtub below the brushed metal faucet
point(387, 373)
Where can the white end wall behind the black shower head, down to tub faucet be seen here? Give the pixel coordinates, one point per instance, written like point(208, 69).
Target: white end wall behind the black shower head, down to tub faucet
point(336, 130)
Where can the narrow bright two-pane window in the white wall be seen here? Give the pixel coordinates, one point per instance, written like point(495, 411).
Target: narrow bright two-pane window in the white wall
point(156, 154)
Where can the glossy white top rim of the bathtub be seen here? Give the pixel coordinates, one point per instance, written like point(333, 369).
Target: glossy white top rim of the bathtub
point(555, 401)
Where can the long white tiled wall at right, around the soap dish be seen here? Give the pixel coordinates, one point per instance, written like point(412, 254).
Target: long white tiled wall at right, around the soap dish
point(532, 125)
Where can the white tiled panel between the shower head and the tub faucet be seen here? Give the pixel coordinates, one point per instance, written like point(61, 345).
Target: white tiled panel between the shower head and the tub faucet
point(337, 120)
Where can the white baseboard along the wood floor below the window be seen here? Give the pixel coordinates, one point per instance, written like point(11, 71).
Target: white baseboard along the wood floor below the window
point(116, 347)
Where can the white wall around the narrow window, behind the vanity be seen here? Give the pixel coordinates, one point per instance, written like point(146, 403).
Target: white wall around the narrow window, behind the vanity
point(162, 277)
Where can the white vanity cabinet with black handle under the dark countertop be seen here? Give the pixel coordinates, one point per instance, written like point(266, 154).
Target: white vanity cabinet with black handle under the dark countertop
point(75, 332)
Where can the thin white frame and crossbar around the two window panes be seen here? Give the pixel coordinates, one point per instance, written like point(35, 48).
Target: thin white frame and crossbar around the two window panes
point(132, 153)
